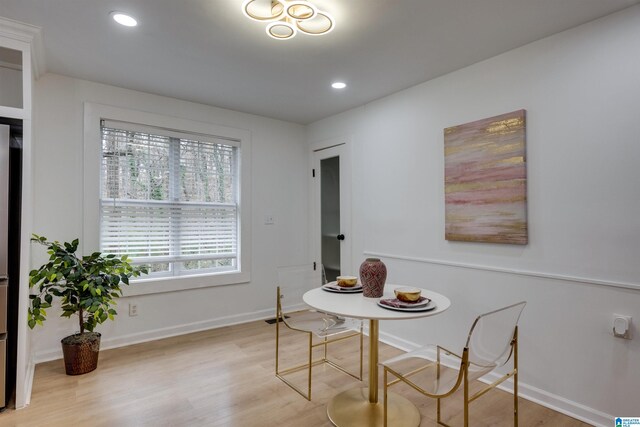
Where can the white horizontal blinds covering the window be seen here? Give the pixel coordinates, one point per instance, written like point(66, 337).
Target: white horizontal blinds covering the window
point(169, 199)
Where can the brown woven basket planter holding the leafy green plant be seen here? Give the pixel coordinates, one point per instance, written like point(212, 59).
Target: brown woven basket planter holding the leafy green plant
point(81, 352)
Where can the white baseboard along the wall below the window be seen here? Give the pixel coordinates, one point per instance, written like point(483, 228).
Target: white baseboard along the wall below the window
point(161, 333)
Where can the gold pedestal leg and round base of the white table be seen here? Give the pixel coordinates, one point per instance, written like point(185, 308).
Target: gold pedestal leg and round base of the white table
point(360, 407)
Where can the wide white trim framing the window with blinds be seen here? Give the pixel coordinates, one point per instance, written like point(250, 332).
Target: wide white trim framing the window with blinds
point(93, 114)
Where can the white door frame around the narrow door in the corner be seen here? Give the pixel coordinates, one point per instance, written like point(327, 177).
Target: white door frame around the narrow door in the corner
point(340, 146)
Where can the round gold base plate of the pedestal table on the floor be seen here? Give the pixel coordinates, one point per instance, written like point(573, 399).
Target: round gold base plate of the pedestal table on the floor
point(352, 408)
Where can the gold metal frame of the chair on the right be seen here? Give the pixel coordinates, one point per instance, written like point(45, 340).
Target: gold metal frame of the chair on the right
point(463, 377)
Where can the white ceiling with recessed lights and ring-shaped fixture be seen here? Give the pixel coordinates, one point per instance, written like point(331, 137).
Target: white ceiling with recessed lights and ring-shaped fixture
point(207, 51)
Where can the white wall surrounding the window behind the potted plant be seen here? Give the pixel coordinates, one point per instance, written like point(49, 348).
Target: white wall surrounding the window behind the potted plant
point(279, 188)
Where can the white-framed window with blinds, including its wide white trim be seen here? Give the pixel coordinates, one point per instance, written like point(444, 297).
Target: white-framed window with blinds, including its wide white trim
point(150, 192)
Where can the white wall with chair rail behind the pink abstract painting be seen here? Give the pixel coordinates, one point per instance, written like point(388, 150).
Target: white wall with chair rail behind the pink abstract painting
point(582, 95)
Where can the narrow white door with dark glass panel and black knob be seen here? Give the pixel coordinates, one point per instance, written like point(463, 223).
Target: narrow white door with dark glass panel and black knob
point(331, 234)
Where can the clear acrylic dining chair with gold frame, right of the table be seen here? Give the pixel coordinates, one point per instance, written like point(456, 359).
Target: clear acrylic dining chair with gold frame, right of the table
point(437, 372)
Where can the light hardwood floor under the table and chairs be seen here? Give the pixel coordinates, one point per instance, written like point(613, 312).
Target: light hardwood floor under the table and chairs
point(224, 377)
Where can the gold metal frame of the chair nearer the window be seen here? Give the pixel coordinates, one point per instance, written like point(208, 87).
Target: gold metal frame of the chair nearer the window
point(342, 335)
